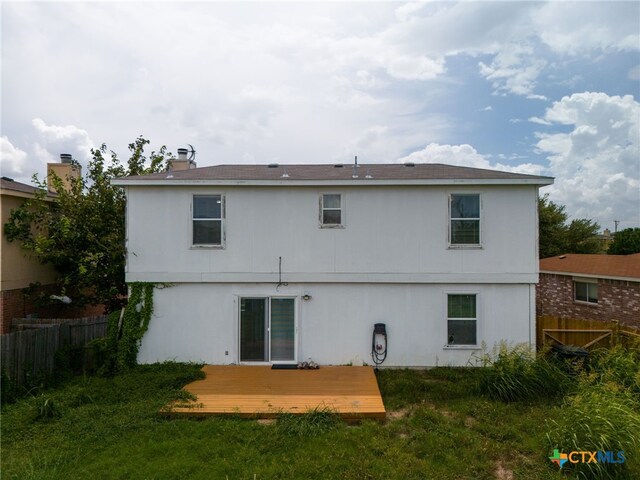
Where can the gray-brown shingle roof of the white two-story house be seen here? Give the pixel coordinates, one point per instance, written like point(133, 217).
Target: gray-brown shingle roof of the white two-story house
point(397, 171)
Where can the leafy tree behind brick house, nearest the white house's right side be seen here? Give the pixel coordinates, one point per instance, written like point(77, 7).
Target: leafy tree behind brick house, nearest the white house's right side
point(558, 237)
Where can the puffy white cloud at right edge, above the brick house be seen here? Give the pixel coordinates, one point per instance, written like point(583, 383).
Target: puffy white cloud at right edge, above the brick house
point(597, 164)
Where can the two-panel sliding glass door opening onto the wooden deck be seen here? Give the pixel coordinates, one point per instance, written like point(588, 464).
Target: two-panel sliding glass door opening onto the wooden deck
point(267, 329)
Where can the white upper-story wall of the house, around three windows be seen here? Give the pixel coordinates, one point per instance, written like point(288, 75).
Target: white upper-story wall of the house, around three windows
point(392, 234)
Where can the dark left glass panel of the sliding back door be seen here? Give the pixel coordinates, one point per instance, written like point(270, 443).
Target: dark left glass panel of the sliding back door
point(254, 345)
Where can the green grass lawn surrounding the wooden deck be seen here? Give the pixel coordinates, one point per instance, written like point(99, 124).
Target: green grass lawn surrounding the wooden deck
point(439, 427)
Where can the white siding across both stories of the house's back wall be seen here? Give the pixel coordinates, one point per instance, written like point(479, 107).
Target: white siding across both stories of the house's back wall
point(391, 263)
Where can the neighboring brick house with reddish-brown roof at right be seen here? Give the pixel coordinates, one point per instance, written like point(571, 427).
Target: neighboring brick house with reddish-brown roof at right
point(590, 287)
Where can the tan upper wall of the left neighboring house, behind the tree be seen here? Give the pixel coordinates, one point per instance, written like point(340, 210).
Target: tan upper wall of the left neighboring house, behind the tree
point(16, 270)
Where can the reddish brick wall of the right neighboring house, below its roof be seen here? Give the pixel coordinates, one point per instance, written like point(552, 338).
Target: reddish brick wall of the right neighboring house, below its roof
point(617, 300)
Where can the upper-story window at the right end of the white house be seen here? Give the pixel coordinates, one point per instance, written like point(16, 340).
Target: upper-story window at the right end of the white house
point(464, 214)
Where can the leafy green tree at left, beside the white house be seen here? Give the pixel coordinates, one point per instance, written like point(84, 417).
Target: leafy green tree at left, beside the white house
point(81, 232)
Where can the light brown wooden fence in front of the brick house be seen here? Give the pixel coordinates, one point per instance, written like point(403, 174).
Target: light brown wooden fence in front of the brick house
point(583, 333)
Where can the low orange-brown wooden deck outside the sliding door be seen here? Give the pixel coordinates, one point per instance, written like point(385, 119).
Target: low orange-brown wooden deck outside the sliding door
point(260, 392)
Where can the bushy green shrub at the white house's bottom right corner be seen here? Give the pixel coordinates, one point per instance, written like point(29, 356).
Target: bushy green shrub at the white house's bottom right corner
point(519, 374)
